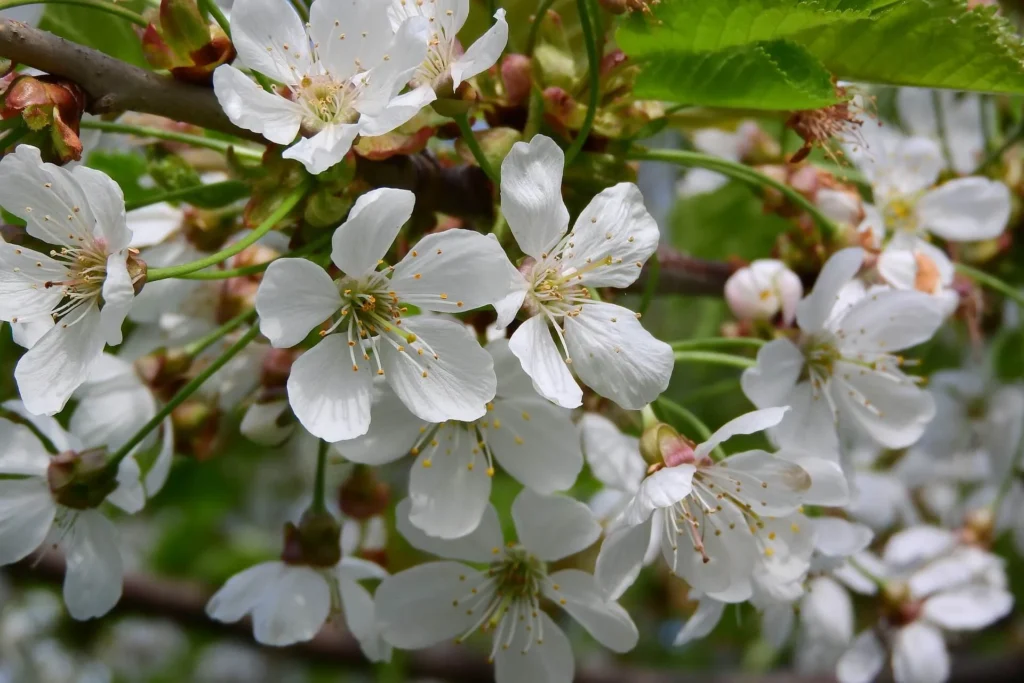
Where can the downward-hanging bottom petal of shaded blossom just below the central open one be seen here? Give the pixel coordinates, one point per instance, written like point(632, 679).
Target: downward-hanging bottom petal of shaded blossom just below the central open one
point(449, 487)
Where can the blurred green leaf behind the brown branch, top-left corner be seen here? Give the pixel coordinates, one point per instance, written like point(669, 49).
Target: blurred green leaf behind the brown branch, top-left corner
point(99, 30)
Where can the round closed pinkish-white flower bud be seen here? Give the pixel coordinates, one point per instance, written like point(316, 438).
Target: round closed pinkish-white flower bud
point(763, 290)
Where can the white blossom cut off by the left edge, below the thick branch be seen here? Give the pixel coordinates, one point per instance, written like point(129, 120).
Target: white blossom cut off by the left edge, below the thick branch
point(82, 290)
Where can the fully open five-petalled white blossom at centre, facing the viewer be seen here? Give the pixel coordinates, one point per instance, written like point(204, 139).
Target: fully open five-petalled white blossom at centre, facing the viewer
point(435, 366)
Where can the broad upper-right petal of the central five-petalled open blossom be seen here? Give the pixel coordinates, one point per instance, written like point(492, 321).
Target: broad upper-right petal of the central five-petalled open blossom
point(453, 272)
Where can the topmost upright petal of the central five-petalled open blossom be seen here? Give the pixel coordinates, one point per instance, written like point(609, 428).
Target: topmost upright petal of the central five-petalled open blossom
point(373, 224)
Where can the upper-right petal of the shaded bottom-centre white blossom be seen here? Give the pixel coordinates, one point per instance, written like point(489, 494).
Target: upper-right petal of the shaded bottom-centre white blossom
point(553, 527)
